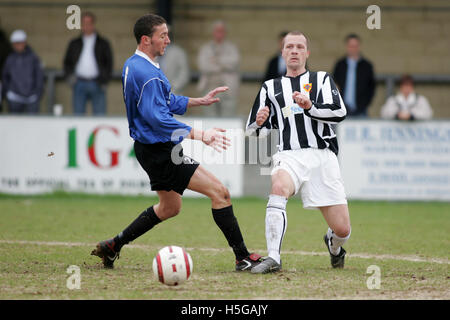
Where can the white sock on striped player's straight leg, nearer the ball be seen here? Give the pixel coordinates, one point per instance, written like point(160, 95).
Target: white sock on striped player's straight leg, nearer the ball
point(276, 223)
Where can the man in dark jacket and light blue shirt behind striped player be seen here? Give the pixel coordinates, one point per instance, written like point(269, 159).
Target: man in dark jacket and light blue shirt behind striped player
point(355, 78)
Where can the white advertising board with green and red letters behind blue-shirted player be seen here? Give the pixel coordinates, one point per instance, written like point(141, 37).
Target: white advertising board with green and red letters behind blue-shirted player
point(96, 155)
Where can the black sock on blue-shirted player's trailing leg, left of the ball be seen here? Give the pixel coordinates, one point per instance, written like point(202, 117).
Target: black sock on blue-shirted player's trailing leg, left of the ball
point(146, 220)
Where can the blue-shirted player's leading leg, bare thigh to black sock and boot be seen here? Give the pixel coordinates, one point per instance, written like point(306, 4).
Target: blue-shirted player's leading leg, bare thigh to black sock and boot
point(206, 183)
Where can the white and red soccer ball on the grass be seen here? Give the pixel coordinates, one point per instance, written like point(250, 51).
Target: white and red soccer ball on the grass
point(172, 265)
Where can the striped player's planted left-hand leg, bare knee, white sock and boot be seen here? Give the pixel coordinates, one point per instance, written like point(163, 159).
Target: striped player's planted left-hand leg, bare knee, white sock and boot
point(276, 220)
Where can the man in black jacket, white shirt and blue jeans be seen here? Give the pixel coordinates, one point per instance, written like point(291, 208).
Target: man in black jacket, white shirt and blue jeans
point(88, 67)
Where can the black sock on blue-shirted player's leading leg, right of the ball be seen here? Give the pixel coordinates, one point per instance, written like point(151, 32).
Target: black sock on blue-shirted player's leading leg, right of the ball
point(227, 222)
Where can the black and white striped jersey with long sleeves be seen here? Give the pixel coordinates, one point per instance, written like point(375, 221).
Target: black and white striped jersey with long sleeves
point(299, 128)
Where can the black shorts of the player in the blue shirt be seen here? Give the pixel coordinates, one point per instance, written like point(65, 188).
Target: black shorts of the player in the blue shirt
point(164, 173)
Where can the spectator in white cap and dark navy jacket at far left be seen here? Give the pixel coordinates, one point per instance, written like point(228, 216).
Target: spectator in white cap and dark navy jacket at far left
point(22, 76)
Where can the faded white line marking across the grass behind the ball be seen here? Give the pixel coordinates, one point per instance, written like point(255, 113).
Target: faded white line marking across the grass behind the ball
point(303, 253)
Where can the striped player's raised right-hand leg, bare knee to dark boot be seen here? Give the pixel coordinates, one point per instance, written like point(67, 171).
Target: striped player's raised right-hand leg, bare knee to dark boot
point(338, 220)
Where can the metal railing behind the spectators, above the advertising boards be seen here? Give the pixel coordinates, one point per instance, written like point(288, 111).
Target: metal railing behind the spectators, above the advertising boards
point(389, 81)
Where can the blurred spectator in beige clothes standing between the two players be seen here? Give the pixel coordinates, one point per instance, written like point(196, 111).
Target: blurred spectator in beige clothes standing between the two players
point(218, 63)
